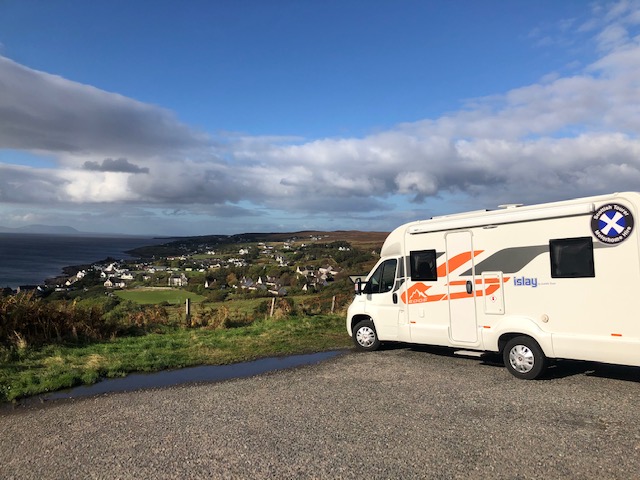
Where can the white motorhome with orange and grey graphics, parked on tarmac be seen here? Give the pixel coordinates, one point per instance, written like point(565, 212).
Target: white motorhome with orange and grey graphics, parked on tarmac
point(551, 281)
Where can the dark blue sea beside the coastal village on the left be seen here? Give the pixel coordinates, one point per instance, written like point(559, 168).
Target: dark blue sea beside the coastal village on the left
point(29, 259)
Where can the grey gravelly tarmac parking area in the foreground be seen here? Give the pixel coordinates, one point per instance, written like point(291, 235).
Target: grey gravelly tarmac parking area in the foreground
point(401, 412)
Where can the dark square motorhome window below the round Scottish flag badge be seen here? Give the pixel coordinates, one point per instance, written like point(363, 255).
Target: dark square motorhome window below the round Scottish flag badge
point(572, 257)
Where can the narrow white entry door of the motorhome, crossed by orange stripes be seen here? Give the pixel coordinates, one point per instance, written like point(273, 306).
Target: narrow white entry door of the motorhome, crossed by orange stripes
point(462, 304)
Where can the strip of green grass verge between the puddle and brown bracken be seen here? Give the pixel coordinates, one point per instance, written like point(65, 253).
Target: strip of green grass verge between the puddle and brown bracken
point(54, 367)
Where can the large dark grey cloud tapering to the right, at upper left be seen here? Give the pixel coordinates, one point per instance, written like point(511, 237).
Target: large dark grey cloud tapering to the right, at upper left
point(39, 111)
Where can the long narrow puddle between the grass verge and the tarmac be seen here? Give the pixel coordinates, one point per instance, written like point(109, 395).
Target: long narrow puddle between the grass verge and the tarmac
point(206, 373)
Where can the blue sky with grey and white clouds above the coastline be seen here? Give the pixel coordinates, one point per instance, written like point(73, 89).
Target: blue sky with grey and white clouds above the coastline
point(205, 117)
